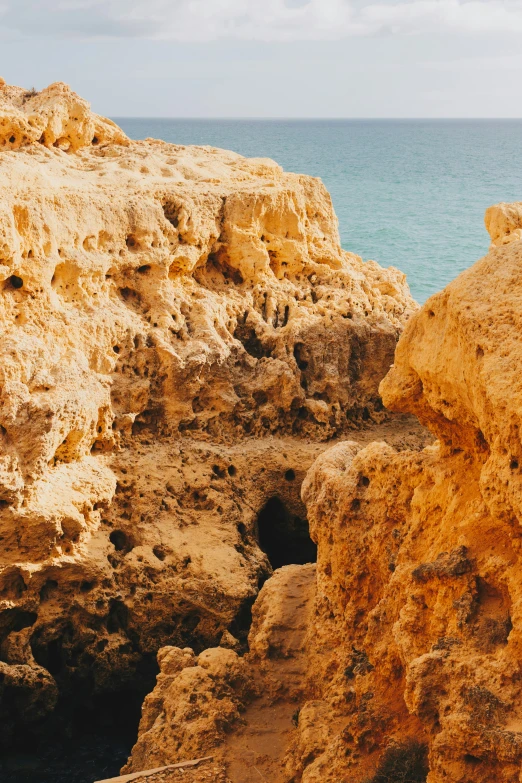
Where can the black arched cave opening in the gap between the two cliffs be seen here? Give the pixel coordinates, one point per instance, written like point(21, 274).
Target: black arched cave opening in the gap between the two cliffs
point(284, 537)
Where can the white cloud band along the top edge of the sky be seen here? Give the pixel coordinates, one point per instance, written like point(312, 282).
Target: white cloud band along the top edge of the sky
point(263, 20)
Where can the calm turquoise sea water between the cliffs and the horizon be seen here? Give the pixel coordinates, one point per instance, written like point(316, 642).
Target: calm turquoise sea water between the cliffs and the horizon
point(408, 193)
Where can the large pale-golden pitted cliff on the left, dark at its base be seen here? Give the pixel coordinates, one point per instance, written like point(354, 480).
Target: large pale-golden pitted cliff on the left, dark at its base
point(159, 305)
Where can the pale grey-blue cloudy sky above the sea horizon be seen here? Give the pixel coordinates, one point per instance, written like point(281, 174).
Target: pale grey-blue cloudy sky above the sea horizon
point(272, 58)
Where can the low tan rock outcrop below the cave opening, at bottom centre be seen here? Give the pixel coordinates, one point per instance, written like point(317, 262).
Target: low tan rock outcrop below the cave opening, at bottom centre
point(240, 710)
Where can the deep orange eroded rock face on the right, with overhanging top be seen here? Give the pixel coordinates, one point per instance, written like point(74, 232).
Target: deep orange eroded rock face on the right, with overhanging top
point(418, 626)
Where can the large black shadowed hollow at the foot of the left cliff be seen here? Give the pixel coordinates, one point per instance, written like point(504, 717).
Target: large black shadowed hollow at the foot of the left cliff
point(90, 732)
